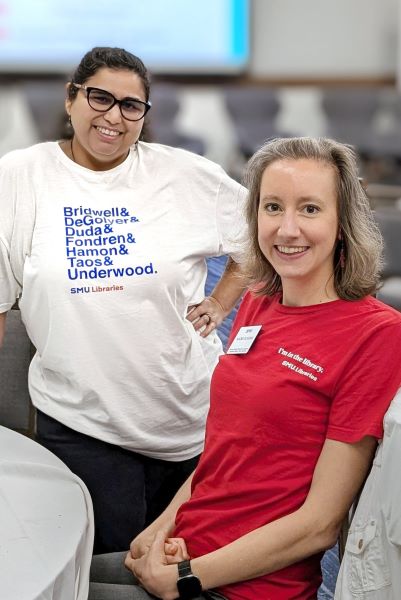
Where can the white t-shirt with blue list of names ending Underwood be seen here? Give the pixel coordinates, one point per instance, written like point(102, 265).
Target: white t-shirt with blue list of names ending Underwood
point(106, 264)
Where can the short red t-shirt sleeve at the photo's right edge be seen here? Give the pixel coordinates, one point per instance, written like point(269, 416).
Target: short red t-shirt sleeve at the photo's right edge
point(367, 386)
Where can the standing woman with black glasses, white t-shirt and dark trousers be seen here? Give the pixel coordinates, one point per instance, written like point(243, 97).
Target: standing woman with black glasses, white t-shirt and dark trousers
point(103, 239)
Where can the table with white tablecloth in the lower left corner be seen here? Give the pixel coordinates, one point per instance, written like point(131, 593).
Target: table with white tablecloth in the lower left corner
point(46, 524)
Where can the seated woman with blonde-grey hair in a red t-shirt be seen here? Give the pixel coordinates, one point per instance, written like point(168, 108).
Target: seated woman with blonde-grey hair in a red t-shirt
point(297, 403)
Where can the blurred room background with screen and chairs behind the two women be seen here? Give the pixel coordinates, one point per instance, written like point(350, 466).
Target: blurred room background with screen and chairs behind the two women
point(227, 75)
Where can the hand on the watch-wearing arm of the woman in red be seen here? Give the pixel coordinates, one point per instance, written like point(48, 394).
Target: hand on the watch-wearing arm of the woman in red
point(153, 571)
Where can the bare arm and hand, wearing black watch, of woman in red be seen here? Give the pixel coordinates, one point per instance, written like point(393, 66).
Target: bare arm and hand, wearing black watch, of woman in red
point(338, 475)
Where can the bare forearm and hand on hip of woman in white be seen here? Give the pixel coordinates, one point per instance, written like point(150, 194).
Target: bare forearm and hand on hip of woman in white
point(216, 307)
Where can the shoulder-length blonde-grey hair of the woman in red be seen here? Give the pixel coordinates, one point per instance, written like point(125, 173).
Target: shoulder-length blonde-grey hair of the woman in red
point(361, 237)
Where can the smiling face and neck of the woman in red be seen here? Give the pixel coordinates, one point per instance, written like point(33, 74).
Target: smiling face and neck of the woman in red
point(298, 227)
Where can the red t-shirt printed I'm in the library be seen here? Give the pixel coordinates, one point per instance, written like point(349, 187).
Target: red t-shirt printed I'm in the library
point(329, 370)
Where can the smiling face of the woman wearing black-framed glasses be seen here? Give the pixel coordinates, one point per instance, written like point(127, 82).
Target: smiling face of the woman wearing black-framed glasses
point(102, 139)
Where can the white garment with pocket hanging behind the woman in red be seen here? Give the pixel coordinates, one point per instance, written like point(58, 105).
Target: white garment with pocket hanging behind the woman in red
point(371, 566)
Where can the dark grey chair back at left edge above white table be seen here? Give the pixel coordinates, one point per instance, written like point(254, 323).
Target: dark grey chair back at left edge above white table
point(16, 410)
